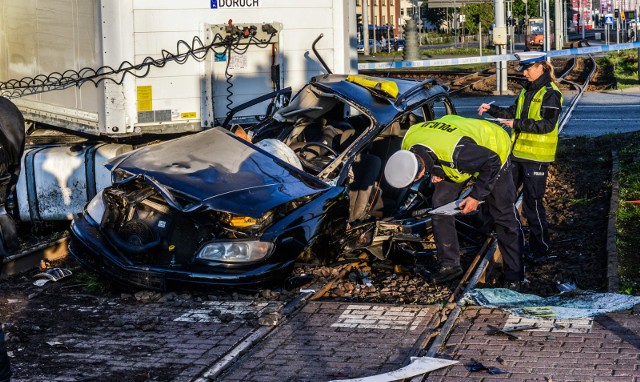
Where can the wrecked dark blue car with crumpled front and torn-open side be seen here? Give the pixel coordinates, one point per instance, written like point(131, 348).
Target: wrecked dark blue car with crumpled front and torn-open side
point(217, 209)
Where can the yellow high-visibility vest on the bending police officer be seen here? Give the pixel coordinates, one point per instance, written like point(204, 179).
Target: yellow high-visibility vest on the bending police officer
point(443, 135)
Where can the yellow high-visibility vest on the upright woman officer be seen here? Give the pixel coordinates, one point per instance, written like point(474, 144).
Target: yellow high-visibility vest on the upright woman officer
point(531, 146)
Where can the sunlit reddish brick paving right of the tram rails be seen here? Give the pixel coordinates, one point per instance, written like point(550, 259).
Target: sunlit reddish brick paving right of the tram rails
point(605, 348)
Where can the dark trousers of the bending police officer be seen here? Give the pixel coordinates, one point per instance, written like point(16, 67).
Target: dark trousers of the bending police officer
point(500, 204)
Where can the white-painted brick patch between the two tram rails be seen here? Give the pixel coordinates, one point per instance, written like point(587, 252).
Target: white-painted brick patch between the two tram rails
point(381, 317)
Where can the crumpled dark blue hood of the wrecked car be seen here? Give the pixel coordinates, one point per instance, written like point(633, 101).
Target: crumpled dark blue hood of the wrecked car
point(220, 171)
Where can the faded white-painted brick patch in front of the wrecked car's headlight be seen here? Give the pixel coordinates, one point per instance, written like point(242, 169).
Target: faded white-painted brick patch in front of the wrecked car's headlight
point(213, 309)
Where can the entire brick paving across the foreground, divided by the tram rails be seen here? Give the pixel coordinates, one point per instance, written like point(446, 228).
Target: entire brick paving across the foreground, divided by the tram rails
point(124, 339)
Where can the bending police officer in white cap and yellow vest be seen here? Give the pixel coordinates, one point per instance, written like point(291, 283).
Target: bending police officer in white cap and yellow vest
point(452, 150)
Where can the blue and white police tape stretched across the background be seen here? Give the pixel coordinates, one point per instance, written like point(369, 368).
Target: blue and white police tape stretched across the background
point(494, 58)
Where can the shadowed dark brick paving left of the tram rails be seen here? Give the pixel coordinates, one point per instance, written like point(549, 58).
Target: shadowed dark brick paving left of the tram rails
point(126, 340)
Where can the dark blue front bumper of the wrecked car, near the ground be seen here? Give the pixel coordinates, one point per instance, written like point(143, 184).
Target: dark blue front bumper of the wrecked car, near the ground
point(89, 247)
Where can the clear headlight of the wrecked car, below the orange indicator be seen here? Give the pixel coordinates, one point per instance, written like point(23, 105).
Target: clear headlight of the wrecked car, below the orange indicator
point(235, 251)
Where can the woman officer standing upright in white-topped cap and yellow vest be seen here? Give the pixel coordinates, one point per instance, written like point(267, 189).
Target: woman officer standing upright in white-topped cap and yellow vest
point(533, 119)
